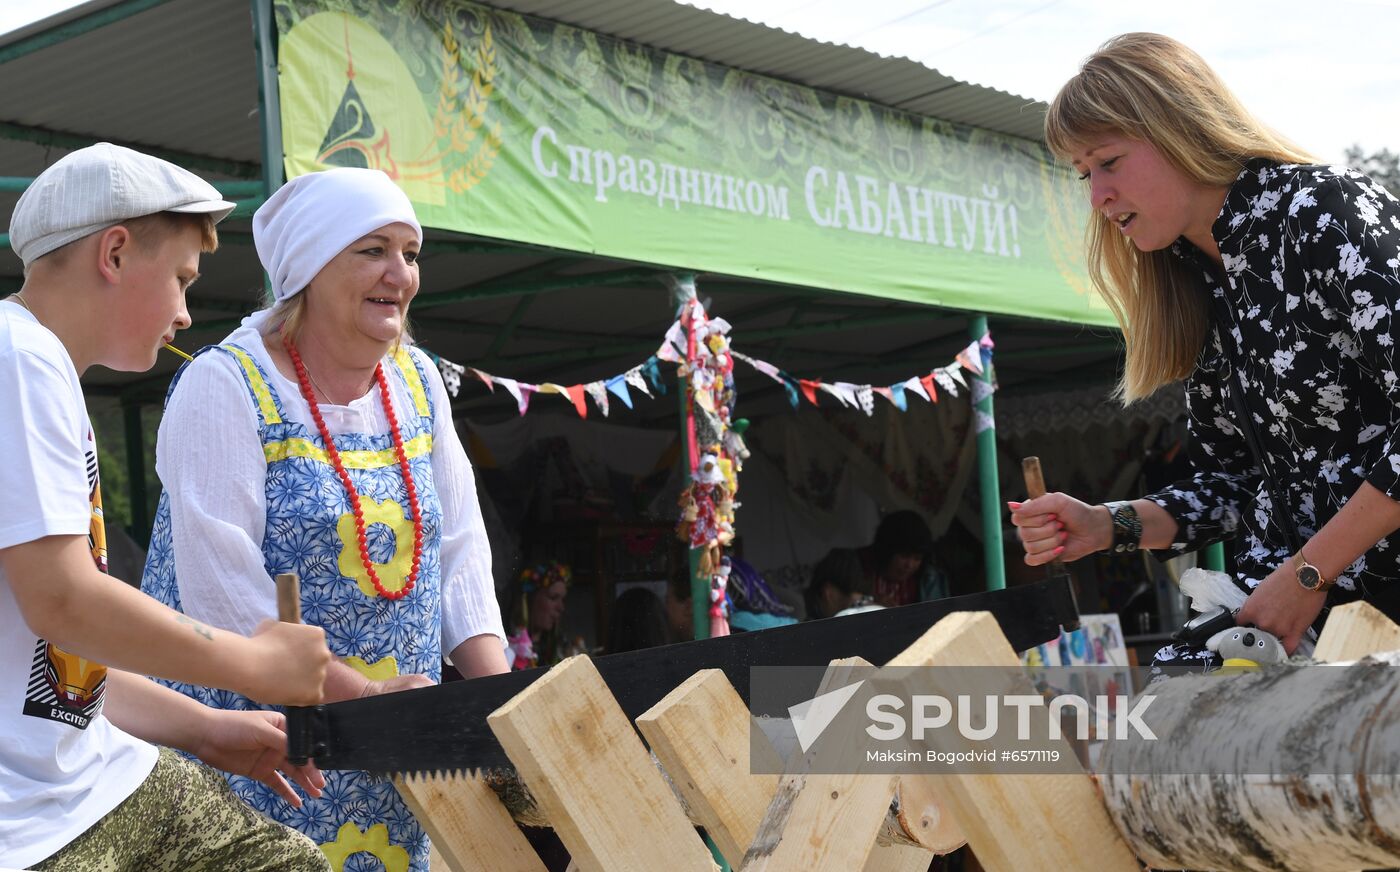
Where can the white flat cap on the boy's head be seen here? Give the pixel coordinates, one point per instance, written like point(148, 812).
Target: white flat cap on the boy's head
point(100, 187)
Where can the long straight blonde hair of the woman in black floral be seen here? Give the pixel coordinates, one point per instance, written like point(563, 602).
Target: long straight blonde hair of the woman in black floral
point(1156, 90)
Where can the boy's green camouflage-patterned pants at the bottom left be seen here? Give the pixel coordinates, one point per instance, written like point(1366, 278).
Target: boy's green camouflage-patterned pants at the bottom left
point(184, 818)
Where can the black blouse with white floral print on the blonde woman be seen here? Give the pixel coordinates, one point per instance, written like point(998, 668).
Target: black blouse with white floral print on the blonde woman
point(1307, 321)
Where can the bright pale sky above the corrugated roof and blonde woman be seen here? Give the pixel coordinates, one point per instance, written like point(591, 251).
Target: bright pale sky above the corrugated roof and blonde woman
point(1325, 73)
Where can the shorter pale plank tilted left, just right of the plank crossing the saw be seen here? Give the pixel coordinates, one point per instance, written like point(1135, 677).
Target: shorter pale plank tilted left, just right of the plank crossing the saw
point(701, 736)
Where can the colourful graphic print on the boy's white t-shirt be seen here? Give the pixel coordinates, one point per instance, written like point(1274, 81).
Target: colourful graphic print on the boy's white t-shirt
point(65, 687)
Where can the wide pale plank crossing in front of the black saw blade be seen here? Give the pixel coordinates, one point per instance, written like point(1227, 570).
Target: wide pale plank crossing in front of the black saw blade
point(594, 780)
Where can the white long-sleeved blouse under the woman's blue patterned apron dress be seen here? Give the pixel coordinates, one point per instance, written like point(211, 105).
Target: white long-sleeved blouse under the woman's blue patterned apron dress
point(212, 464)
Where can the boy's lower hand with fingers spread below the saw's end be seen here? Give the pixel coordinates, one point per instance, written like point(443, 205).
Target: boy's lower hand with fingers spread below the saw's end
point(254, 744)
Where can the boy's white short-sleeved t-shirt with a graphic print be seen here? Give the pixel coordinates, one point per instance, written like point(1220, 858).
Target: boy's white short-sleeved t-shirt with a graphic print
point(64, 766)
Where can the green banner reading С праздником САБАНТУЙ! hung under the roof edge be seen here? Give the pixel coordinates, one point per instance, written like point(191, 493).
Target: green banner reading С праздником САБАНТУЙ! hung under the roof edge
point(524, 129)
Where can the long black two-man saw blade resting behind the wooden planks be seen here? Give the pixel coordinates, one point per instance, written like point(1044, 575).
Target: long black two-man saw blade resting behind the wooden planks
point(443, 729)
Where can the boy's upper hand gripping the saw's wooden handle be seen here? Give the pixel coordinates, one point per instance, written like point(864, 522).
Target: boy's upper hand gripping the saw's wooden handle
point(288, 666)
